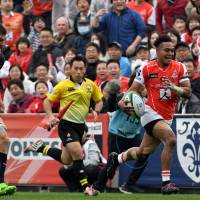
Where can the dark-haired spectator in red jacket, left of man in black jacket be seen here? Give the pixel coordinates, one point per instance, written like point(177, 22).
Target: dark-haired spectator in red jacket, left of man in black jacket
point(23, 54)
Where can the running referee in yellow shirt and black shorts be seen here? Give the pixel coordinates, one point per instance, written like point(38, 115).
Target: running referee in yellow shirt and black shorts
point(71, 127)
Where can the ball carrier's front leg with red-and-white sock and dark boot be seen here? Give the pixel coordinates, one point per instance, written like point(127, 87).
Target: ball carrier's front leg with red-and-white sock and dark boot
point(164, 133)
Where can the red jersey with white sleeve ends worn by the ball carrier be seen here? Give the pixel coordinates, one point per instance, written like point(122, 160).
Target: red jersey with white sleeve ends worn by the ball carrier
point(160, 99)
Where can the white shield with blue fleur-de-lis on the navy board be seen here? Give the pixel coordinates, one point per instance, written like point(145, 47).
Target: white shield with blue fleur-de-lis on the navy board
point(188, 147)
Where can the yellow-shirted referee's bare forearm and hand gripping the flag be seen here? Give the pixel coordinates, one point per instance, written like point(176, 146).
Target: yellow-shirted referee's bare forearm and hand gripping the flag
point(48, 109)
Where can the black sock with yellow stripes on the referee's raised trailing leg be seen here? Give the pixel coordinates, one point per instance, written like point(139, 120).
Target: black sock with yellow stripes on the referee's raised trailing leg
point(52, 152)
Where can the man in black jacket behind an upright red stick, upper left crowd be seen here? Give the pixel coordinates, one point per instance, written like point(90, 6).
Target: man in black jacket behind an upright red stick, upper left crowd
point(47, 52)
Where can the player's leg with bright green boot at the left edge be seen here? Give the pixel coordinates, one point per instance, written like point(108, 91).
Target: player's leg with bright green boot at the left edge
point(5, 189)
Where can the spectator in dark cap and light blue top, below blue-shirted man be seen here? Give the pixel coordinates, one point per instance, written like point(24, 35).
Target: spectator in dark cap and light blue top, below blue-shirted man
point(115, 53)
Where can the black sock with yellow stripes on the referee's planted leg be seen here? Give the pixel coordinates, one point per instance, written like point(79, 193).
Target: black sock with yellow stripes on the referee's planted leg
point(80, 173)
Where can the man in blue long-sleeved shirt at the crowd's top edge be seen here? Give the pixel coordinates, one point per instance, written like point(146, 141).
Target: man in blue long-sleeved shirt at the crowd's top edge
point(122, 25)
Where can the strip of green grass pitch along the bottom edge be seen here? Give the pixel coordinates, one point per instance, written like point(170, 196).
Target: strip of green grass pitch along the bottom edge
point(105, 196)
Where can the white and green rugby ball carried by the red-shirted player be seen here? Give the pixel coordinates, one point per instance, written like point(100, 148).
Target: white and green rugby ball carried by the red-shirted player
point(134, 100)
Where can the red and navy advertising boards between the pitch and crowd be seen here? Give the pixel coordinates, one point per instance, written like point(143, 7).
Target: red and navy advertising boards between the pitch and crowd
point(37, 169)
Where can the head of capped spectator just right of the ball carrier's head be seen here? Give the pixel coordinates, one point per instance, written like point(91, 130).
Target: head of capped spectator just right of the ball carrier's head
point(182, 51)
